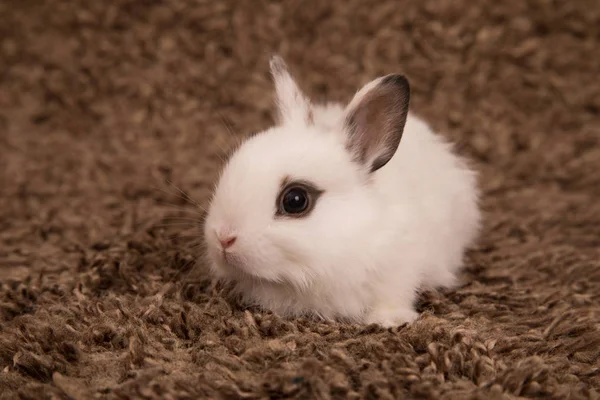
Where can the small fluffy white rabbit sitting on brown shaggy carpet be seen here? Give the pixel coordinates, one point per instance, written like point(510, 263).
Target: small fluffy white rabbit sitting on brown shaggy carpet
point(342, 212)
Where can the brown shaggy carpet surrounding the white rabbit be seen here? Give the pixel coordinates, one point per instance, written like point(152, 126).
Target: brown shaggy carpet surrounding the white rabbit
point(103, 102)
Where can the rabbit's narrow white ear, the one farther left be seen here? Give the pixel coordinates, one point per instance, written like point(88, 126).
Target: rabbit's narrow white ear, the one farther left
point(292, 105)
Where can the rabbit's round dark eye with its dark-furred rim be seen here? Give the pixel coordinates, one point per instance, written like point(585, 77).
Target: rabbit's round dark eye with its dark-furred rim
point(296, 199)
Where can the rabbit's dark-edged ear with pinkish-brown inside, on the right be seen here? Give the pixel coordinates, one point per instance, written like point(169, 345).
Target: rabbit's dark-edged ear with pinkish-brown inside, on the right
point(375, 120)
